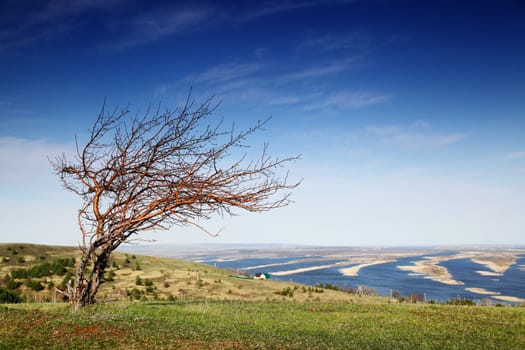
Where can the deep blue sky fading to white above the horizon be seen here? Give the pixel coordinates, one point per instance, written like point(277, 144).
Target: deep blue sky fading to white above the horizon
point(409, 115)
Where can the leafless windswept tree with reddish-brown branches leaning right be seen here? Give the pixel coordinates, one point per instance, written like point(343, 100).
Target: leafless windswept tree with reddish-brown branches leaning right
point(166, 168)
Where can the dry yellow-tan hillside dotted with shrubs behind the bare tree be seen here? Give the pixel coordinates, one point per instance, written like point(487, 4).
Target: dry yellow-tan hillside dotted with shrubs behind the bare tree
point(136, 277)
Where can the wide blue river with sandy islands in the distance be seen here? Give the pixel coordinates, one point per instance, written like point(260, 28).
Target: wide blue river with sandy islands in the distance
point(386, 278)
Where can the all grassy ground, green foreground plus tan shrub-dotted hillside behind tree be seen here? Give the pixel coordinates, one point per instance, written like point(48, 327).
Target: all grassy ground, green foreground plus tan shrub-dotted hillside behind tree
point(158, 303)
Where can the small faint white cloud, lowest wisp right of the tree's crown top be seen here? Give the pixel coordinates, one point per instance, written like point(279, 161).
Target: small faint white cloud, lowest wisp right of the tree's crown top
point(416, 135)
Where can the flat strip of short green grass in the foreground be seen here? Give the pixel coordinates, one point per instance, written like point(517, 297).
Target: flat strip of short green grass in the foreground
point(260, 325)
